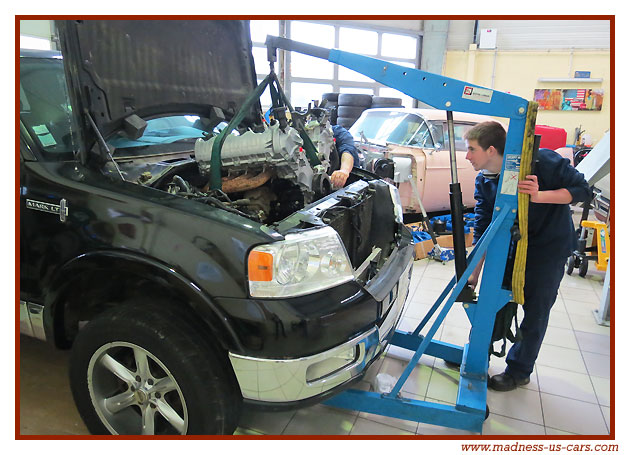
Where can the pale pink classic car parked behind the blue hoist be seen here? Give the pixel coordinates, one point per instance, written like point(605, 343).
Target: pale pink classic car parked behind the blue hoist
point(417, 141)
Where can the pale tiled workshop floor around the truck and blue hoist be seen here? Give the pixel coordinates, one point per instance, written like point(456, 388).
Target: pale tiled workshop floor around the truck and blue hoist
point(569, 392)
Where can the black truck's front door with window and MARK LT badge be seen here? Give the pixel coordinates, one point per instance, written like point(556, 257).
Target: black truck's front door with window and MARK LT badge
point(47, 147)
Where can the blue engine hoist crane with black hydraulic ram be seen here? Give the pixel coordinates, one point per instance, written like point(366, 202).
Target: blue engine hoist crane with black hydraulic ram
point(448, 94)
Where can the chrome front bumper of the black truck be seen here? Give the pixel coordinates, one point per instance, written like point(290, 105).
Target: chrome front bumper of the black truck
point(290, 380)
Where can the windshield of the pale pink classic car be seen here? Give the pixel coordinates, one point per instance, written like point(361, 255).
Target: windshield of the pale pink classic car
point(381, 127)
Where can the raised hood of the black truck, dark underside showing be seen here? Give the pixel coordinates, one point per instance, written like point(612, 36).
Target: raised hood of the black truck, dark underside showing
point(121, 67)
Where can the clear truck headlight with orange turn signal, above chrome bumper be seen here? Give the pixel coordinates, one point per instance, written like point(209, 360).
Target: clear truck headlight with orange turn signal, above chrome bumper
point(301, 264)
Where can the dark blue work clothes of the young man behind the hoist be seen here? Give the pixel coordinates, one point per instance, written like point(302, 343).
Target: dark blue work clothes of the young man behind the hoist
point(552, 239)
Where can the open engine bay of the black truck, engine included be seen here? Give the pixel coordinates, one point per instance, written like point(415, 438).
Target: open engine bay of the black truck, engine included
point(266, 175)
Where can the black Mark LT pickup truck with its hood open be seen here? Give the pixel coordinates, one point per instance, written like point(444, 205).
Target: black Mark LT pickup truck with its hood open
point(183, 303)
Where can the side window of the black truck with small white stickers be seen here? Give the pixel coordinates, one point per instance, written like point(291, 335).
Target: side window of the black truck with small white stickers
point(45, 107)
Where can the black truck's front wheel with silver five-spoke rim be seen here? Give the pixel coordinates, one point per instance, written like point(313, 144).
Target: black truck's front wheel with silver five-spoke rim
point(142, 369)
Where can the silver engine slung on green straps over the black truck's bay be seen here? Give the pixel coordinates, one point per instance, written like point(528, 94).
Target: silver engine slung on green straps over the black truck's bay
point(265, 176)
